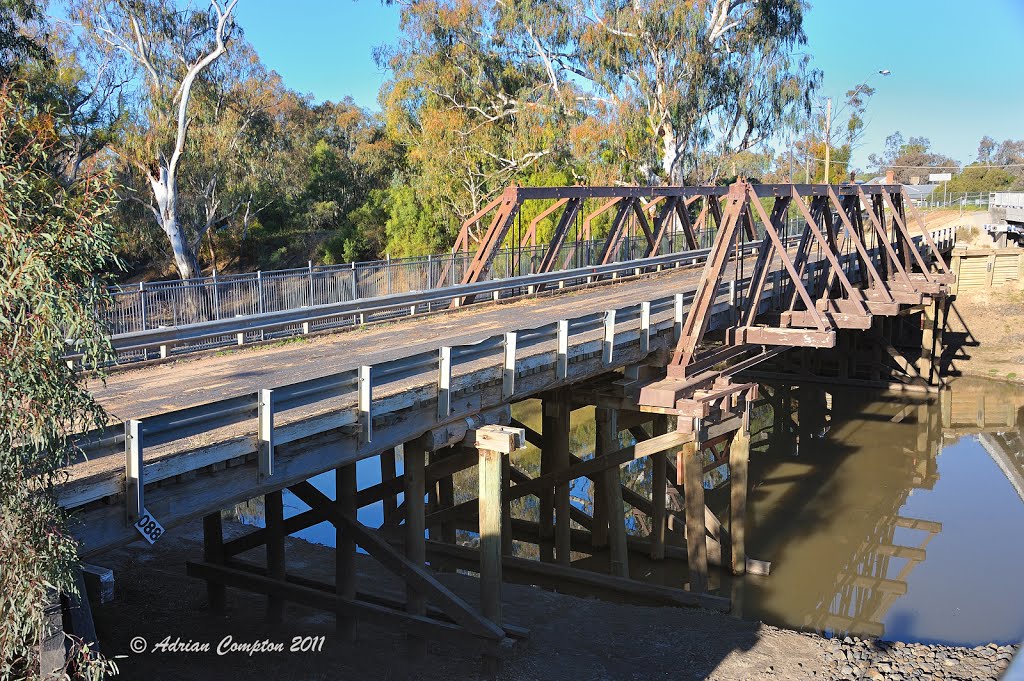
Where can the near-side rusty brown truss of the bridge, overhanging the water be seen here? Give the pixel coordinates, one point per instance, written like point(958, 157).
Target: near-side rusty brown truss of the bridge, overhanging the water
point(857, 259)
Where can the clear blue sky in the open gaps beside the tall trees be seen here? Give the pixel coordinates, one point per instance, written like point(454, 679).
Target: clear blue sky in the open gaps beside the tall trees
point(957, 67)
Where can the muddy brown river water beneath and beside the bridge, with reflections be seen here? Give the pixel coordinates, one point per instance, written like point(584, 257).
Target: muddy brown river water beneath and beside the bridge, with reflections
point(881, 517)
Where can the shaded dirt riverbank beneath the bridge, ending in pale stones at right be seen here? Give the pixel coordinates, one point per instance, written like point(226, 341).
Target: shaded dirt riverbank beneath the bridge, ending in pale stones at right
point(571, 637)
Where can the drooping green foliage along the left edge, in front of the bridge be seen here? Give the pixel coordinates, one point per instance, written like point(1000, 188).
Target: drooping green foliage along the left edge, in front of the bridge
point(54, 237)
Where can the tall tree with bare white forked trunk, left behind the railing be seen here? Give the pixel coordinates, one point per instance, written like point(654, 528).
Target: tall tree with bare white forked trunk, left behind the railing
point(169, 49)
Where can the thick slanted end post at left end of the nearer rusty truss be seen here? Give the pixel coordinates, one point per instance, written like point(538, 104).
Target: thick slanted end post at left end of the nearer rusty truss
point(704, 301)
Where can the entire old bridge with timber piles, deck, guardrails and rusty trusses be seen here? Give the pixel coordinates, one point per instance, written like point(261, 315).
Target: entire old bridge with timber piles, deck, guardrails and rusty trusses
point(664, 347)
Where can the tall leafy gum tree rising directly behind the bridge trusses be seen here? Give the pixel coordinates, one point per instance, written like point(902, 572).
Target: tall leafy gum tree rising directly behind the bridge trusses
point(696, 81)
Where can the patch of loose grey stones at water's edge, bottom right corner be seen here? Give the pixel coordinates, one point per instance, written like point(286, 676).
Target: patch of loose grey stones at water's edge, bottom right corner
point(856, 659)
